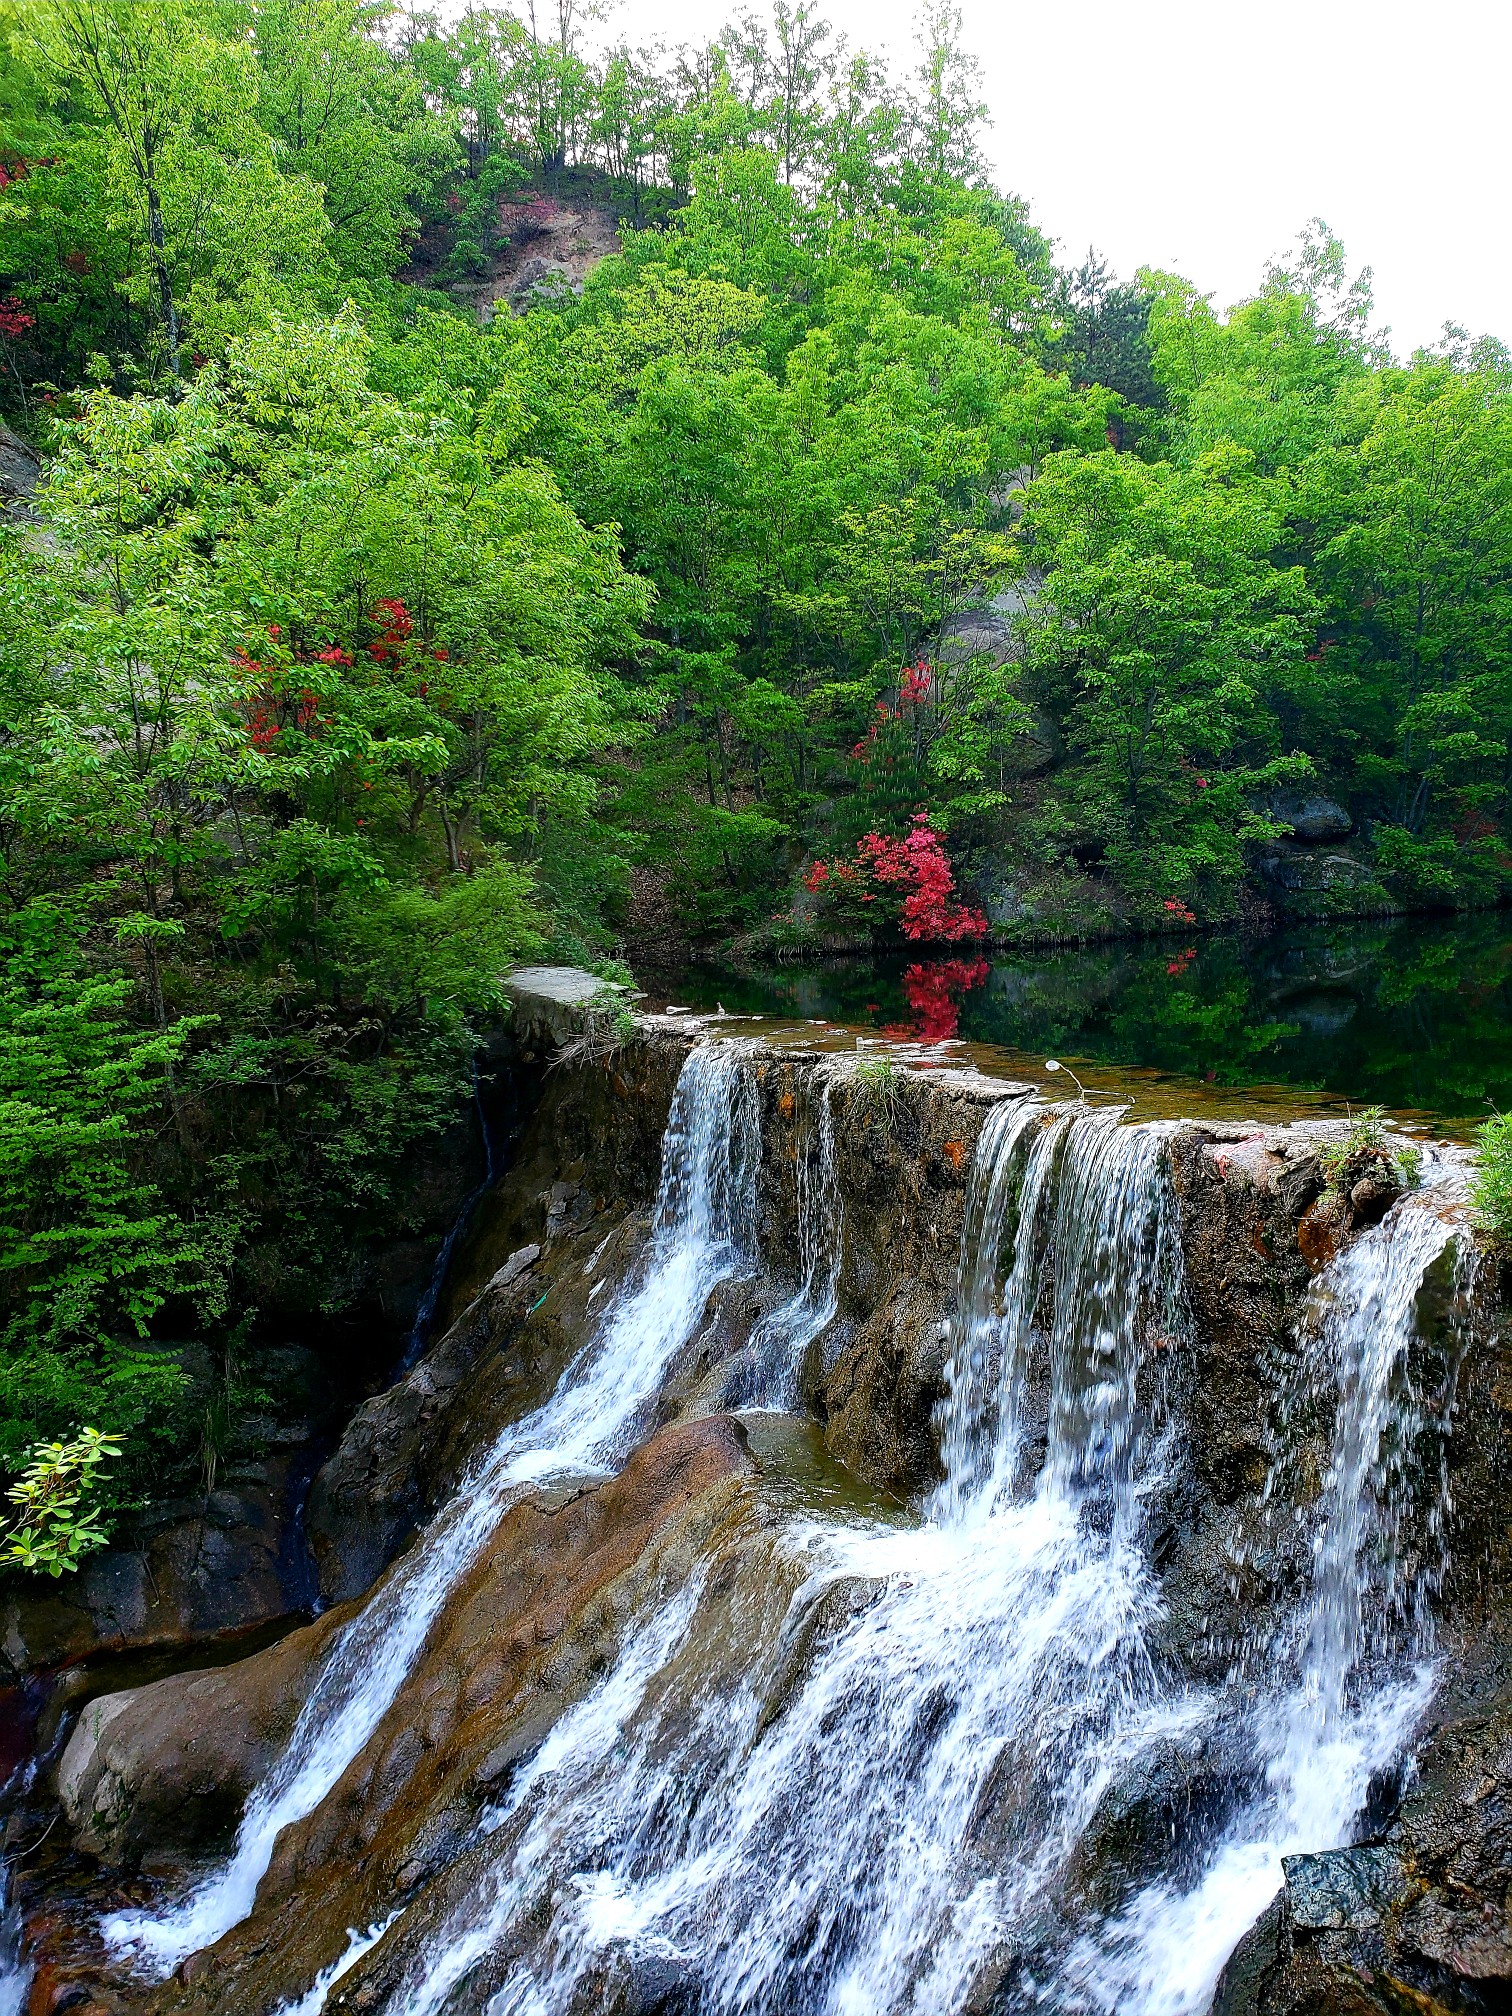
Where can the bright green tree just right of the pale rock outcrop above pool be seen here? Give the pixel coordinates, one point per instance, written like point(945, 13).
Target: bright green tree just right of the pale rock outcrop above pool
point(1162, 626)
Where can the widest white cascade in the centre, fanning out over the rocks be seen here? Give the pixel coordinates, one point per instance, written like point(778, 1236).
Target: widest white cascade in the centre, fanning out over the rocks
point(936, 1761)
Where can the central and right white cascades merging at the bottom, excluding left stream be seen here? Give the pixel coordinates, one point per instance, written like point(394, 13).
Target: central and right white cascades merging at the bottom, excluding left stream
point(882, 1801)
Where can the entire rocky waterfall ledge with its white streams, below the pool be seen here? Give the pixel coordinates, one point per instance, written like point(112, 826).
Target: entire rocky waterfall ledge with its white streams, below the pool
point(864, 1539)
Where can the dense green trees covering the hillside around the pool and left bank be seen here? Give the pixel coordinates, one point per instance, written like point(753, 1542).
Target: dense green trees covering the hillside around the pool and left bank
point(364, 642)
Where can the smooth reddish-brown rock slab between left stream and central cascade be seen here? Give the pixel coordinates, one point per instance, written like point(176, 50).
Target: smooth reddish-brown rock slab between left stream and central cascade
point(529, 1628)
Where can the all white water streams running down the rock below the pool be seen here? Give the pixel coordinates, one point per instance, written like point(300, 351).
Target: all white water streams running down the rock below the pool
point(874, 1761)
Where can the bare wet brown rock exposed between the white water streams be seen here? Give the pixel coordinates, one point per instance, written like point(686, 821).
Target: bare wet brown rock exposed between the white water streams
point(545, 1608)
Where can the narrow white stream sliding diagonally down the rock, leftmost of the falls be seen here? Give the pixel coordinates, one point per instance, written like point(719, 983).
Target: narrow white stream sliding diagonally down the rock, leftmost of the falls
point(703, 1235)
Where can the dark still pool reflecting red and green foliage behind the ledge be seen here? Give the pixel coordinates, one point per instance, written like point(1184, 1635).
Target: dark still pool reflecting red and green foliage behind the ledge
point(1412, 1013)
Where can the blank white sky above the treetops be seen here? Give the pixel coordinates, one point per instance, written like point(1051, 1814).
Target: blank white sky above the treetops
point(1203, 136)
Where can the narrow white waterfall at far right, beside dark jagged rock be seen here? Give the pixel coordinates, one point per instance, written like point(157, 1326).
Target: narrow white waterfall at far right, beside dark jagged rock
point(1340, 1698)
